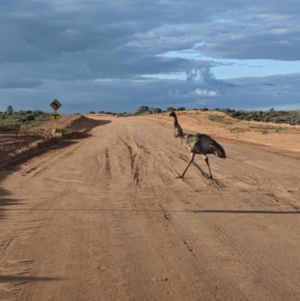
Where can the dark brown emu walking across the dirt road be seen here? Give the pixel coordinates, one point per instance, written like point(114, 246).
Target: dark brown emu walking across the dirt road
point(197, 144)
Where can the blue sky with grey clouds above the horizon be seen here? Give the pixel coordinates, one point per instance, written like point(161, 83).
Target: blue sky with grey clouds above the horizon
point(118, 55)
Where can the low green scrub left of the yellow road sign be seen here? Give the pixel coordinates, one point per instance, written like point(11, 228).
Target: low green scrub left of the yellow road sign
point(11, 120)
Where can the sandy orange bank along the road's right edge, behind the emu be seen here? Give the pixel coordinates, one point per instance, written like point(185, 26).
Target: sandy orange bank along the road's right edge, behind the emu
point(281, 136)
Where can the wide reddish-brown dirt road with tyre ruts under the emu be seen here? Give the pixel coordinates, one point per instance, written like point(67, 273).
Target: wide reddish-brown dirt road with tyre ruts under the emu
point(106, 219)
